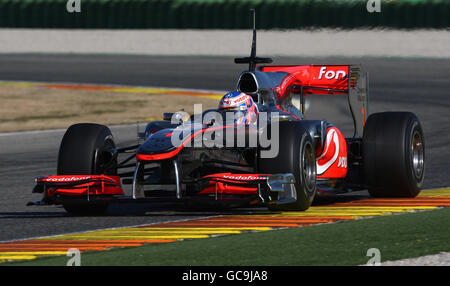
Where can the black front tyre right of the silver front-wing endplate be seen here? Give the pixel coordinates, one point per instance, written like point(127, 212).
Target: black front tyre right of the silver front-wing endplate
point(296, 155)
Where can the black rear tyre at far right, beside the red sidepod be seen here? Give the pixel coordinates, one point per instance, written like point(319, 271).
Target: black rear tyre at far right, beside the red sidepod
point(393, 154)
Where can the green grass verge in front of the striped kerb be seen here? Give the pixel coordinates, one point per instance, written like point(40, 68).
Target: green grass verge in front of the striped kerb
point(343, 243)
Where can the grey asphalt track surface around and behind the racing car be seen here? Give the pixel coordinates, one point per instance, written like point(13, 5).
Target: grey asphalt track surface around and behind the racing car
point(417, 85)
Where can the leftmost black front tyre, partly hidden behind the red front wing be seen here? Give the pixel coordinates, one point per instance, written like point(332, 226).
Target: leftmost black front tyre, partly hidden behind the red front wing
point(85, 150)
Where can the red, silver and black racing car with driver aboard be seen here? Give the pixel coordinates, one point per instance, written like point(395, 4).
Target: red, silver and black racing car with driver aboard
point(265, 153)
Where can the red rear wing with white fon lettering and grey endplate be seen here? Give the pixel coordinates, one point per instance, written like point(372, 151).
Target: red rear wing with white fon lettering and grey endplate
point(326, 79)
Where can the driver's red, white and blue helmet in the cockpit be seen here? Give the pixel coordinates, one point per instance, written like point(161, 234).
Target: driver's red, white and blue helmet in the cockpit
point(241, 105)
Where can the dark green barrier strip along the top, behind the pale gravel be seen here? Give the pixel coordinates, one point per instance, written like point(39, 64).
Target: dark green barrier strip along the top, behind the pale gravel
point(224, 14)
